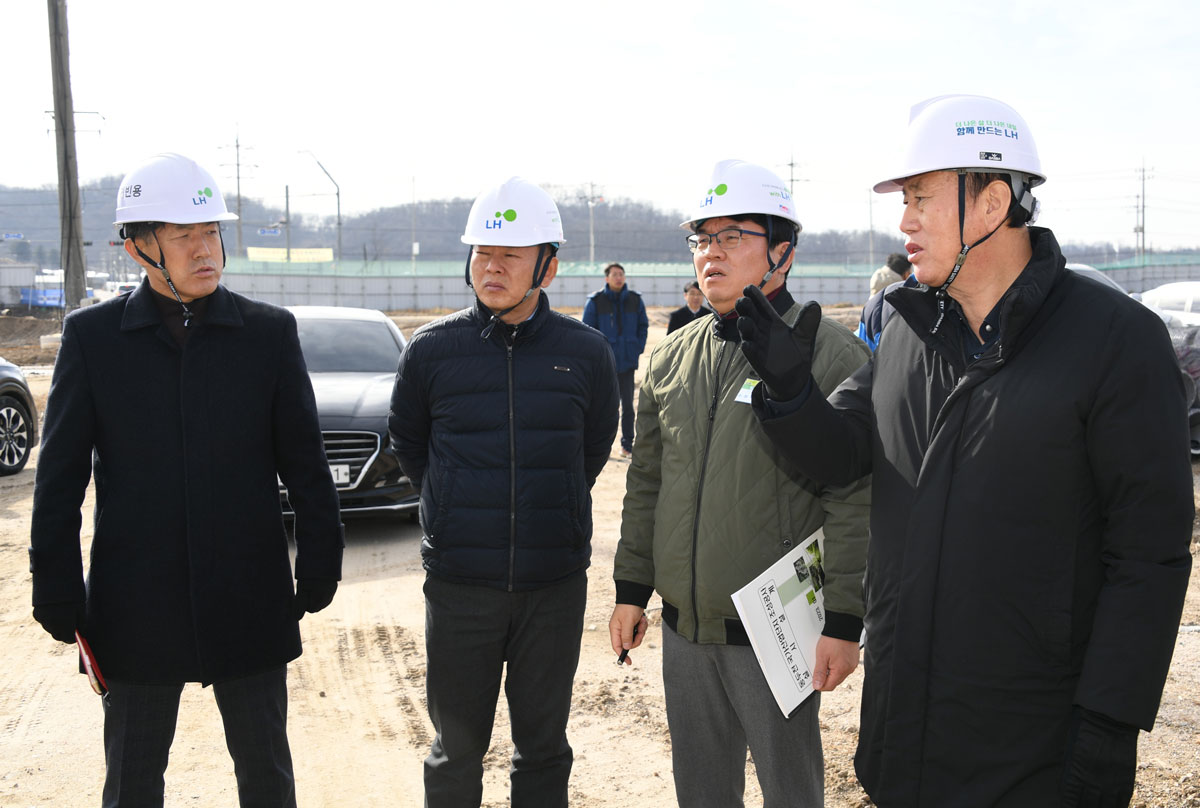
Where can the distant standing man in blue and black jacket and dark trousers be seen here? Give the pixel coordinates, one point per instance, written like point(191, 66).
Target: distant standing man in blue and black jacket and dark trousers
point(620, 314)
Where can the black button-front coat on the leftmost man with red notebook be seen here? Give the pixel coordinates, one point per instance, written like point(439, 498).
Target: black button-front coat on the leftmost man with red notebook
point(190, 577)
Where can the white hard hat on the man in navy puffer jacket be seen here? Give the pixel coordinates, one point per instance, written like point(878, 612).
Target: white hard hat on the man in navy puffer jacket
point(514, 214)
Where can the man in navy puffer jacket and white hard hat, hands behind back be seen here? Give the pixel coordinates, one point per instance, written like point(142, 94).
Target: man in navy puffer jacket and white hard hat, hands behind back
point(503, 415)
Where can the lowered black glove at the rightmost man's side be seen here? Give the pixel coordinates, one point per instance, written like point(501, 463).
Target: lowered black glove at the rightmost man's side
point(1102, 758)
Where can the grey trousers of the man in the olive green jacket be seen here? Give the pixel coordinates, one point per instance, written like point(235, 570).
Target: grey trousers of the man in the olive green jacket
point(718, 705)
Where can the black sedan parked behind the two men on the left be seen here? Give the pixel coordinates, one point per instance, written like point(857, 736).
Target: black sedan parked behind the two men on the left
point(352, 357)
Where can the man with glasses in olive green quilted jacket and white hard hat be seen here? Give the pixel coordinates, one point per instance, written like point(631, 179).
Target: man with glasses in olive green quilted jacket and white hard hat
point(711, 504)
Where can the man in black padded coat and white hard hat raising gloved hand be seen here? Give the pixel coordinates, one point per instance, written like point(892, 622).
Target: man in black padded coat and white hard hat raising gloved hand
point(1016, 411)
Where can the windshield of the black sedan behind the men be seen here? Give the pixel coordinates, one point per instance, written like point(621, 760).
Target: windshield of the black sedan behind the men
point(347, 346)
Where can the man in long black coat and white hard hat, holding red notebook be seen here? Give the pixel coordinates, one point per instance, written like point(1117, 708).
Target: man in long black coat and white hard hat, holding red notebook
point(187, 404)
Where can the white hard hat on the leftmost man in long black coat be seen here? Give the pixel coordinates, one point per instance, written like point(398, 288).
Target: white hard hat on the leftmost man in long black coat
point(173, 189)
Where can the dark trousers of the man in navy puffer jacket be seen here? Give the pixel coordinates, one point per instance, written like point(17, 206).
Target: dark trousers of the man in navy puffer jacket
point(473, 637)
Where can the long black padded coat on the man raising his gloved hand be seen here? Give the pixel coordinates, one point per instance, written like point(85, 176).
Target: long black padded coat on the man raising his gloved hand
point(1031, 516)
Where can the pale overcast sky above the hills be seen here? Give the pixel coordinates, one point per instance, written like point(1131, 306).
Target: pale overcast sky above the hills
point(440, 99)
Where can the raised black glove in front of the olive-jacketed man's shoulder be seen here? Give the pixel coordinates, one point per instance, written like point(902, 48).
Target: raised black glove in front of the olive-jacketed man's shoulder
point(782, 356)
